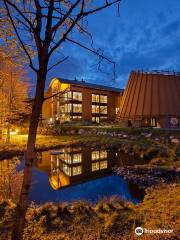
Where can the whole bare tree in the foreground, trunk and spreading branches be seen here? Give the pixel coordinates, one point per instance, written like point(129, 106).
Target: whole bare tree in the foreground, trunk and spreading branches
point(43, 26)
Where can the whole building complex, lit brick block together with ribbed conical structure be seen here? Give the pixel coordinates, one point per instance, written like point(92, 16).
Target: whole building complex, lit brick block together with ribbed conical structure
point(151, 99)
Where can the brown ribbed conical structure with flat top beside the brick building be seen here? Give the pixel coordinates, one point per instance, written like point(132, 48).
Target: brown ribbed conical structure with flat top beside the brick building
point(151, 99)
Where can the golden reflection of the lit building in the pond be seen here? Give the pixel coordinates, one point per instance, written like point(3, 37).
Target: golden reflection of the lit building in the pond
point(75, 165)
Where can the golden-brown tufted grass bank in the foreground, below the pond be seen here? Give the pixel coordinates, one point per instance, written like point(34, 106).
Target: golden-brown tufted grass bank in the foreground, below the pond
point(108, 219)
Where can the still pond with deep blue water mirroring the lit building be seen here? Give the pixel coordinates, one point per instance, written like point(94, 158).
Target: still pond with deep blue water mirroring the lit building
point(81, 173)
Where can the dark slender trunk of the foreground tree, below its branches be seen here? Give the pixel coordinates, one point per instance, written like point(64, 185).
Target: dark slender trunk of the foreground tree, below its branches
point(29, 156)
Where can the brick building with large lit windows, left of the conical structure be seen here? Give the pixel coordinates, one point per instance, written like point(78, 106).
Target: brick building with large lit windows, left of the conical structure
point(73, 100)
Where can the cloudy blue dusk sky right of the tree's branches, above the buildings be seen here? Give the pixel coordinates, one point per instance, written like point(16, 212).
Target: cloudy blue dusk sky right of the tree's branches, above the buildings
point(146, 36)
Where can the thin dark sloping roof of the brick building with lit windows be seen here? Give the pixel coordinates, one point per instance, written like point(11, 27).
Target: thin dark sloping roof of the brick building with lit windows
point(90, 85)
